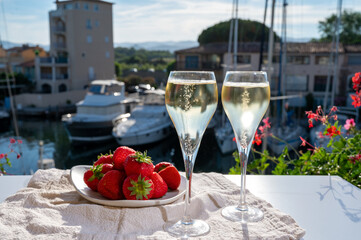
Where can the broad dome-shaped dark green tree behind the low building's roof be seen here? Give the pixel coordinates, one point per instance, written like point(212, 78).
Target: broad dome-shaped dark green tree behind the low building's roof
point(248, 31)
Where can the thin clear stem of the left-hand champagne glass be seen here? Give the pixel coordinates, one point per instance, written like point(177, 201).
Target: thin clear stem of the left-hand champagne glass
point(188, 162)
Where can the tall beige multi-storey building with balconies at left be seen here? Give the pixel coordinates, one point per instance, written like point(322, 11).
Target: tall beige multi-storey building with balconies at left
point(81, 46)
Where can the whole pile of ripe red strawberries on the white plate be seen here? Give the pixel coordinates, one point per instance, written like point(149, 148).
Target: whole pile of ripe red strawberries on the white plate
point(128, 174)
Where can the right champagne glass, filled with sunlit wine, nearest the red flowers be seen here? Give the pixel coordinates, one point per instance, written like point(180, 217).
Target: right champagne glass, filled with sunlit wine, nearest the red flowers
point(245, 99)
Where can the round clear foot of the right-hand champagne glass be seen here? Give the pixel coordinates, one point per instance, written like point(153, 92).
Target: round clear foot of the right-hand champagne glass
point(235, 214)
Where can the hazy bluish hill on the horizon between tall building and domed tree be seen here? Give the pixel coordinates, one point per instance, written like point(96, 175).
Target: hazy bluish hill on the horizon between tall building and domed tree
point(164, 46)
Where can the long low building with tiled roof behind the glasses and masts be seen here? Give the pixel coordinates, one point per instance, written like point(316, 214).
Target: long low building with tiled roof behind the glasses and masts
point(306, 70)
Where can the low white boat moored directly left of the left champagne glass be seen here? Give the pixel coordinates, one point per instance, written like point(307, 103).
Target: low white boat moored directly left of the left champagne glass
point(146, 124)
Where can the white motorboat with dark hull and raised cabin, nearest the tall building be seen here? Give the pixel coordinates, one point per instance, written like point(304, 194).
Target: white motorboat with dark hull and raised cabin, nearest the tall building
point(93, 120)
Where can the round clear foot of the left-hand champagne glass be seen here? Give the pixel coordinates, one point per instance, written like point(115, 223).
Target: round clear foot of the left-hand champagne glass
point(192, 229)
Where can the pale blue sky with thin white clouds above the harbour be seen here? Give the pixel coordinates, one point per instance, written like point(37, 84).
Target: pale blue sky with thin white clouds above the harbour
point(167, 20)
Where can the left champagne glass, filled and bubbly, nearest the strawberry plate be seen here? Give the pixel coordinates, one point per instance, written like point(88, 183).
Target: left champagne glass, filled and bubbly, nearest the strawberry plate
point(191, 99)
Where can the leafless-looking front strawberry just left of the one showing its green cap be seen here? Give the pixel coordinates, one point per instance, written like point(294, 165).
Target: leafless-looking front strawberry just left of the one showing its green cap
point(110, 186)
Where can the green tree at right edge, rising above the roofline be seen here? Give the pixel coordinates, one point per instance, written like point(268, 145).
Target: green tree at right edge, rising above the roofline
point(349, 29)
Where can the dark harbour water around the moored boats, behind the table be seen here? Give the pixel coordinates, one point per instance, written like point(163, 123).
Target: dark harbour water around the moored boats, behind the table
point(57, 146)
